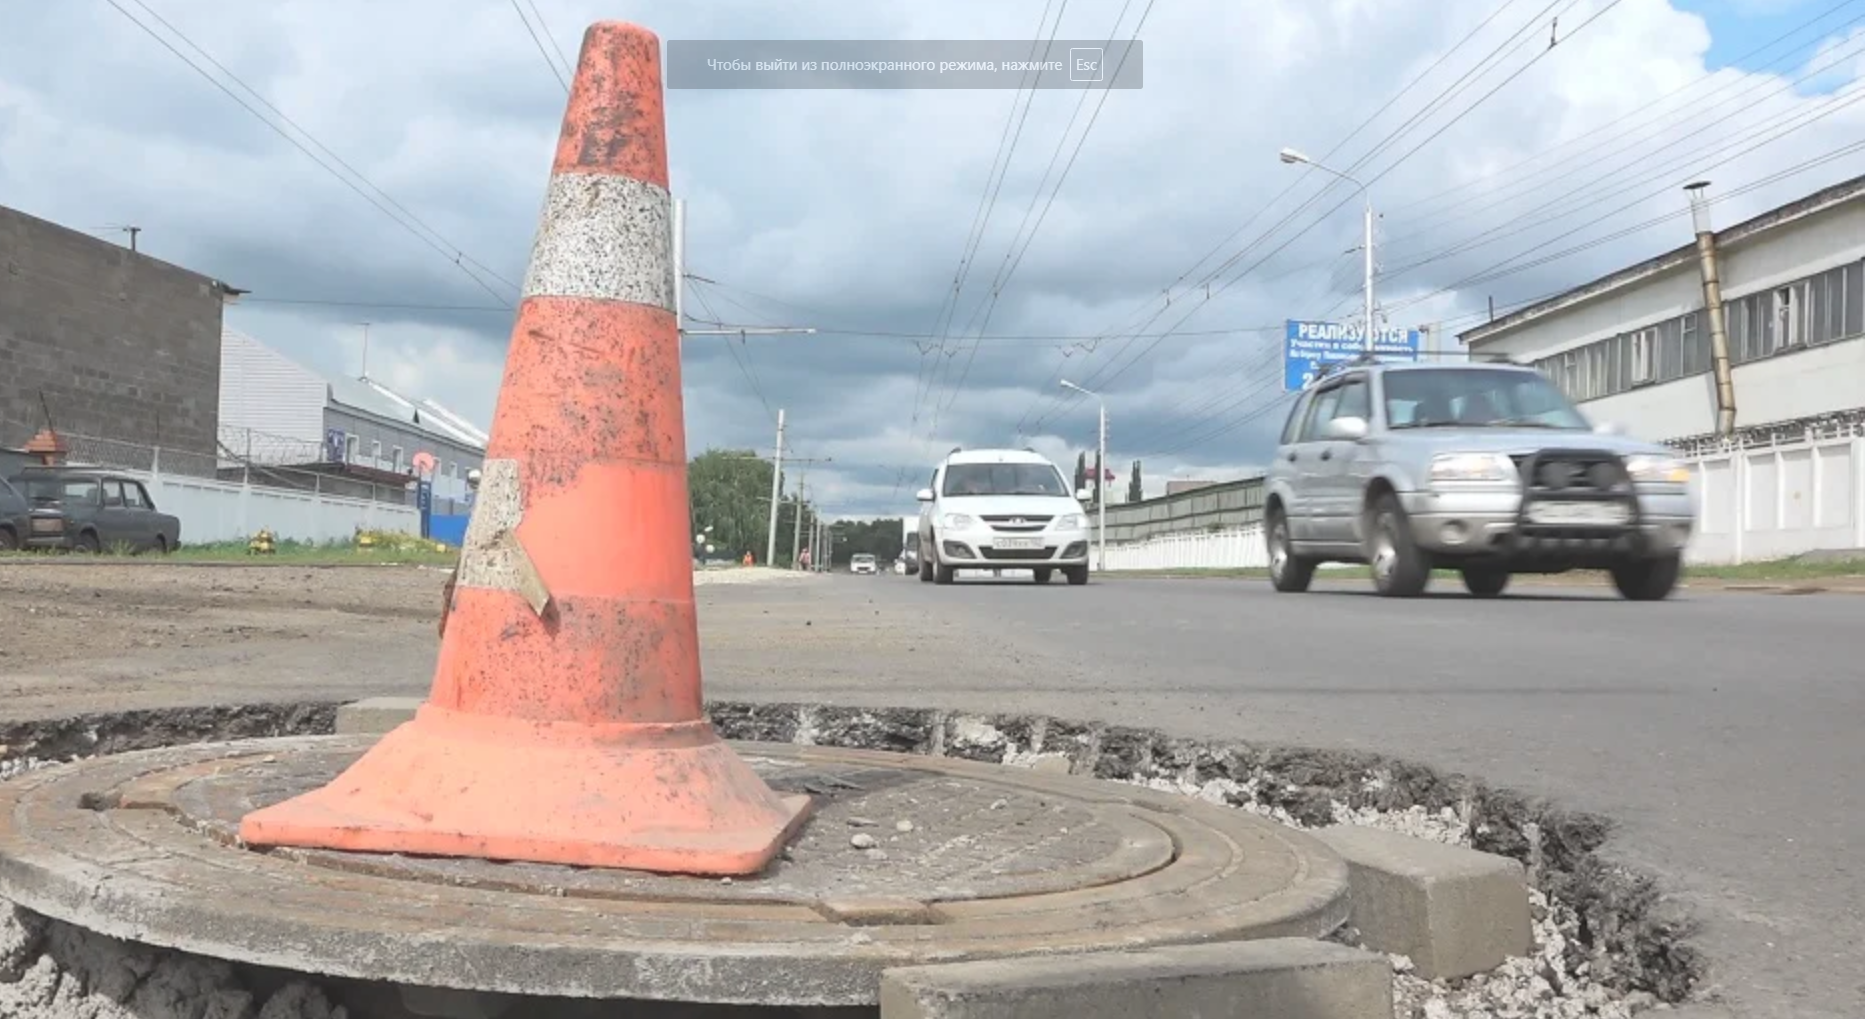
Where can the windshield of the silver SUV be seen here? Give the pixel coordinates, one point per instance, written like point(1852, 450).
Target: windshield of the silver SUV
point(1476, 398)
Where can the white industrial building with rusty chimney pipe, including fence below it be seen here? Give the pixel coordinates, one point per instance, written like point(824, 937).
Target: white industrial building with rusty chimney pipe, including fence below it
point(1784, 471)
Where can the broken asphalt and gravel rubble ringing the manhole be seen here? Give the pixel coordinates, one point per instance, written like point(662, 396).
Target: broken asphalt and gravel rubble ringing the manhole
point(1601, 942)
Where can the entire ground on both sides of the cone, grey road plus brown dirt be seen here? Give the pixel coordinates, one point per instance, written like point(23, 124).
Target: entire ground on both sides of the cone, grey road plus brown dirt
point(1722, 731)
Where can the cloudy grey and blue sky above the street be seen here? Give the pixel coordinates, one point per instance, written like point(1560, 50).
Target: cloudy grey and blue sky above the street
point(1146, 244)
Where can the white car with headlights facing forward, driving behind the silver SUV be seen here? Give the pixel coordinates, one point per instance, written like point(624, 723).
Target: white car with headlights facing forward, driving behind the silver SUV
point(1001, 510)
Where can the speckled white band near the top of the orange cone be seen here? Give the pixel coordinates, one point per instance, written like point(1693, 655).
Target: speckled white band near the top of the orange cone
point(605, 238)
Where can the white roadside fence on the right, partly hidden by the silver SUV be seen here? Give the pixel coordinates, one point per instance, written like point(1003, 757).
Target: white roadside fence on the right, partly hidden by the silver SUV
point(1752, 505)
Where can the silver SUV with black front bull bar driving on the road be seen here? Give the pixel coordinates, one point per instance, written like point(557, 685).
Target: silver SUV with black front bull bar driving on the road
point(1476, 468)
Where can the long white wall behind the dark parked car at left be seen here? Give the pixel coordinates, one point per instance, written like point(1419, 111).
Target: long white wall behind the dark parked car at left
point(232, 512)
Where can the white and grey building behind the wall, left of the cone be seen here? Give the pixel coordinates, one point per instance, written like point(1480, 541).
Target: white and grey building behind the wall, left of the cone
point(275, 412)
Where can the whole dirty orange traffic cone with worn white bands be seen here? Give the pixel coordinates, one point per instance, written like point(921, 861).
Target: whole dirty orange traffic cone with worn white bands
point(566, 716)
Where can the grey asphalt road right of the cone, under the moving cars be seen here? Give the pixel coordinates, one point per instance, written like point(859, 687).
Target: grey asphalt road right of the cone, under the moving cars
point(1724, 731)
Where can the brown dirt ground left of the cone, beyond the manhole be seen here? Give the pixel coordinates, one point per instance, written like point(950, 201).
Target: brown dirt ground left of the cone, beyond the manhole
point(113, 637)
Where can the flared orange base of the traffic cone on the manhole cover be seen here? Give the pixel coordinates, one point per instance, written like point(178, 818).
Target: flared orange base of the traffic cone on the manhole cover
point(667, 800)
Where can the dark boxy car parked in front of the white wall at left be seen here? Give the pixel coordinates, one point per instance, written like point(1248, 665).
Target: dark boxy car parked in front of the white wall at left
point(92, 510)
